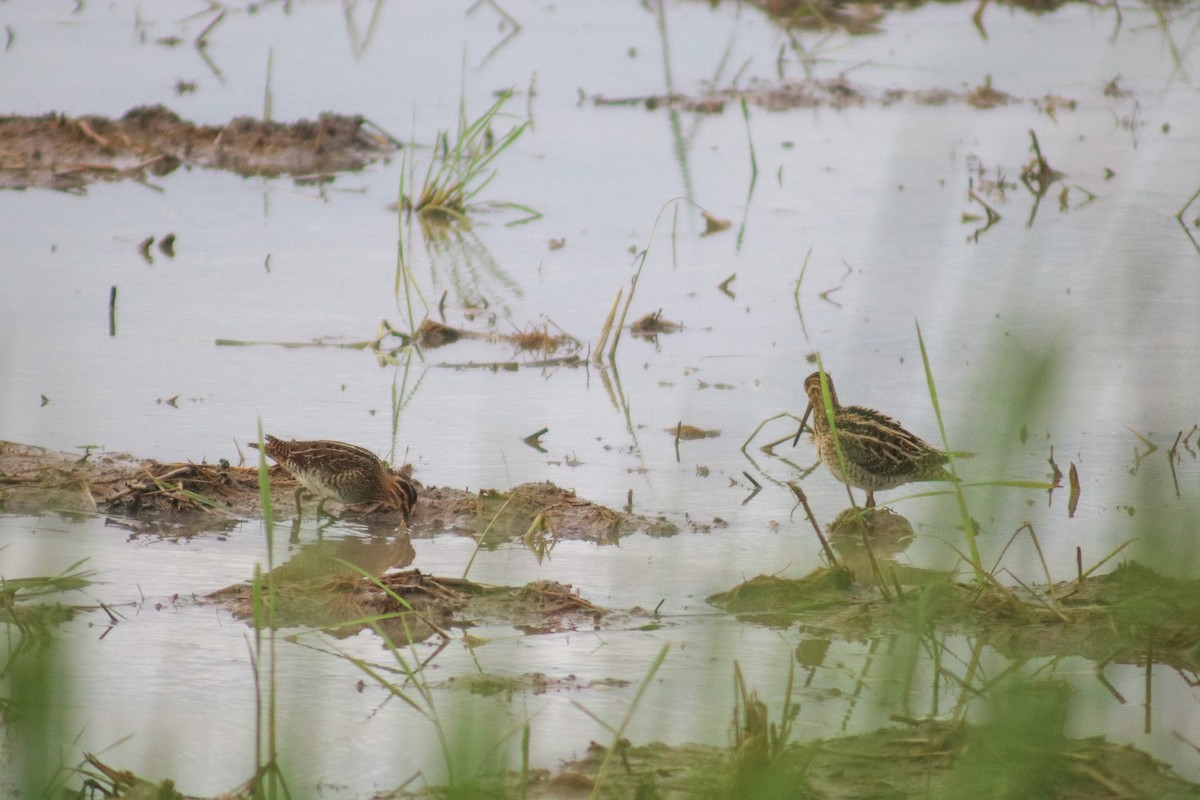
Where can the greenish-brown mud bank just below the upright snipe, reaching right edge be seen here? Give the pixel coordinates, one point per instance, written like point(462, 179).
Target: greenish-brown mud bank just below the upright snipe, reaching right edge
point(1131, 616)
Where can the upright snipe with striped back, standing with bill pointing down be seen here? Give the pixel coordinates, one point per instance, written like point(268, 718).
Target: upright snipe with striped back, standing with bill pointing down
point(877, 452)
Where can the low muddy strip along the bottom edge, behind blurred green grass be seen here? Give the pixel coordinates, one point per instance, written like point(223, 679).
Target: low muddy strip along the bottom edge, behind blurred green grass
point(922, 760)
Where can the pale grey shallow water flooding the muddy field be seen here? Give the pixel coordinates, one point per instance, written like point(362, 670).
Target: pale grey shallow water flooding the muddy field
point(1103, 291)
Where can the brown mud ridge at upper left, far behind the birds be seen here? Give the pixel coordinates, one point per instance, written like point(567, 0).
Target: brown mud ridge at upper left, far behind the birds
point(64, 153)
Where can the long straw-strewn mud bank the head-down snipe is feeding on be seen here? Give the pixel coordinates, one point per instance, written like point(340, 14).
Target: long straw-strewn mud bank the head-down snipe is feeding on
point(184, 498)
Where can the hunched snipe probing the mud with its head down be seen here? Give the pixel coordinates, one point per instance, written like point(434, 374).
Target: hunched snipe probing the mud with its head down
point(335, 471)
